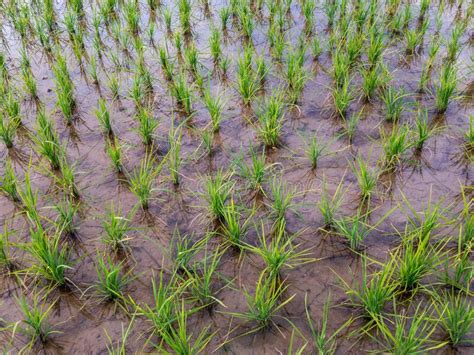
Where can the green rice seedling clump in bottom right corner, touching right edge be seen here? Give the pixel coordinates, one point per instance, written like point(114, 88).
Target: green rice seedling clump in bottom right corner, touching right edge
point(456, 317)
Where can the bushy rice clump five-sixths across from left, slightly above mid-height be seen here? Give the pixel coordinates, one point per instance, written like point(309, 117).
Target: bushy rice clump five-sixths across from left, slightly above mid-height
point(395, 145)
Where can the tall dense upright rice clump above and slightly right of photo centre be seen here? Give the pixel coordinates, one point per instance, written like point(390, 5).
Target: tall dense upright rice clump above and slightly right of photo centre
point(271, 120)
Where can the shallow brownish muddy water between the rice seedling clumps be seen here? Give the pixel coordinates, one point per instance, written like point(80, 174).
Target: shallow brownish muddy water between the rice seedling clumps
point(437, 175)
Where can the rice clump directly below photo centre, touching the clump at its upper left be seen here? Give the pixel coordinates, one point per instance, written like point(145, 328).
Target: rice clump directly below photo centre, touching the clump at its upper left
point(233, 230)
